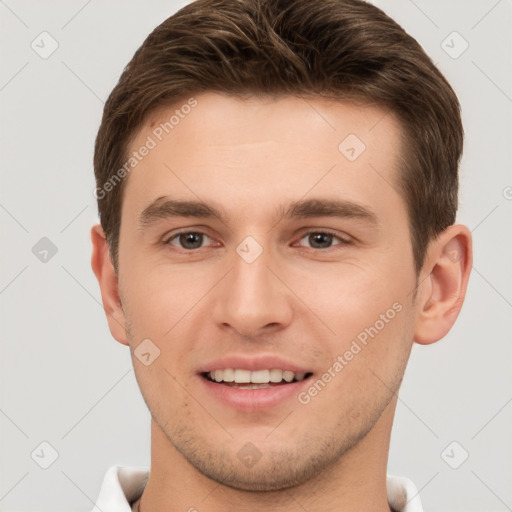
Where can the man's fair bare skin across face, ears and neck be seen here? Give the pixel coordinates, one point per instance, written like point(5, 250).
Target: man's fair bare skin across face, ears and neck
point(304, 304)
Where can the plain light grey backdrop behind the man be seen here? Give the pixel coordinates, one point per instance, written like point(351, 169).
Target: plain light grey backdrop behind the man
point(65, 381)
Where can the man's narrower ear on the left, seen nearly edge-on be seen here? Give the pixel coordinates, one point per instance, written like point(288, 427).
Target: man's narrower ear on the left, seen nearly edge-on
point(109, 284)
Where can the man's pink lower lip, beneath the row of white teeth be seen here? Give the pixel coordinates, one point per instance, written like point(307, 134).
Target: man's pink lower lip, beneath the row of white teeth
point(253, 399)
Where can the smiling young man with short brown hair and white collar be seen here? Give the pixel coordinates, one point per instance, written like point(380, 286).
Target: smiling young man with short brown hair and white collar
point(277, 187)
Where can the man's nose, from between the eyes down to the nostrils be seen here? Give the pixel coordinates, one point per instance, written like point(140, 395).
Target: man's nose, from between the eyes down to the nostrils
point(252, 298)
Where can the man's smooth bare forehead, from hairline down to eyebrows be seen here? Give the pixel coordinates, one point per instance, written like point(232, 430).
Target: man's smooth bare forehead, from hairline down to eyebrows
point(258, 150)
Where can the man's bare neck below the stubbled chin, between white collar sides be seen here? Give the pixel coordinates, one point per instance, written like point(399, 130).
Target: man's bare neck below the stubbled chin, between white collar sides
point(356, 482)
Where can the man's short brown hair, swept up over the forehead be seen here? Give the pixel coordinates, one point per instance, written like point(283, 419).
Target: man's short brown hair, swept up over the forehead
point(338, 49)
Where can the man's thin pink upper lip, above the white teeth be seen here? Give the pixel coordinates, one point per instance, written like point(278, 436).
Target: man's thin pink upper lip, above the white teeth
point(252, 363)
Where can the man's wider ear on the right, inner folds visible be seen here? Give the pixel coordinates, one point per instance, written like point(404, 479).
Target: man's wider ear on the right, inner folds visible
point(443, 284)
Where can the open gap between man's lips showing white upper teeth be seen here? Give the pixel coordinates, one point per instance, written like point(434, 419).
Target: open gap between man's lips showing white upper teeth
point(259, 379)
